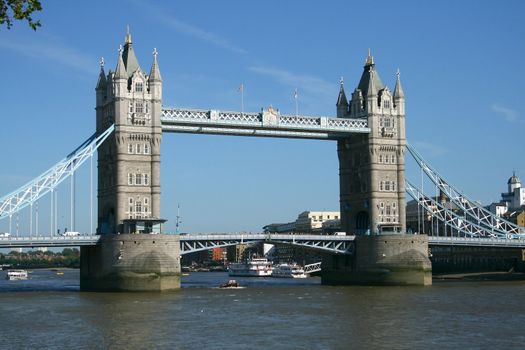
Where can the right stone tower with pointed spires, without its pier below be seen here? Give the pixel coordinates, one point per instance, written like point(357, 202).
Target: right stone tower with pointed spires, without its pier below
point(372, 166)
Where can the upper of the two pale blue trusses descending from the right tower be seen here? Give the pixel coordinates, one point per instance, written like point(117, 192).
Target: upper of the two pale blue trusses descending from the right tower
point(473, 211)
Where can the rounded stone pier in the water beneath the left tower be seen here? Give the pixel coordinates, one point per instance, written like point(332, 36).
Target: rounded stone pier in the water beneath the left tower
point(131, 262)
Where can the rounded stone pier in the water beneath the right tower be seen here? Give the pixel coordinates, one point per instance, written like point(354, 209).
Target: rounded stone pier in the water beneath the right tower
point(397, 259)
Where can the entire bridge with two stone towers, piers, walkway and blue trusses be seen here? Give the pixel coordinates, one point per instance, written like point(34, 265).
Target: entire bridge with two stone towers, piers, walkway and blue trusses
point(371, 145)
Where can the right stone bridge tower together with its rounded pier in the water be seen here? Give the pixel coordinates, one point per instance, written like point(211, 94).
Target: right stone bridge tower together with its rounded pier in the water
point(372, 192)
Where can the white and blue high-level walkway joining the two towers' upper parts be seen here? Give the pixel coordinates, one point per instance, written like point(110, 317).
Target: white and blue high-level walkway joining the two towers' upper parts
point(265, 124)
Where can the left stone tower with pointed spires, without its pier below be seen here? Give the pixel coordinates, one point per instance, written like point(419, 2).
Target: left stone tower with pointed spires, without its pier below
point(129, 162)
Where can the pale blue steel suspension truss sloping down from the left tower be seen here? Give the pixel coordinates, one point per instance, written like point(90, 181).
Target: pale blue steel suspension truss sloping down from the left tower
point(49, 180)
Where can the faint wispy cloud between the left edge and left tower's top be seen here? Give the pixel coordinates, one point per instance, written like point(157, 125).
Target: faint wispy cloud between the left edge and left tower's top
point(53, 52)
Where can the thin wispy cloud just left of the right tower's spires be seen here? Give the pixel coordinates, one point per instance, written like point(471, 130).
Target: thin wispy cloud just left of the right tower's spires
point(303, 82)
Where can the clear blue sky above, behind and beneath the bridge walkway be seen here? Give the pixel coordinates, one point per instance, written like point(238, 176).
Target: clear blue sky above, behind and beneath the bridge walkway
point(461, 67)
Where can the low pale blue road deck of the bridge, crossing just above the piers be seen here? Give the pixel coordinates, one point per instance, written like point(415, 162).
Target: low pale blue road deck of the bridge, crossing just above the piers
point(197, 242)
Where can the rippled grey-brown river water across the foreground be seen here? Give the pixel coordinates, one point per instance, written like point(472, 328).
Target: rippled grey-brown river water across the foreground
point(48, 311)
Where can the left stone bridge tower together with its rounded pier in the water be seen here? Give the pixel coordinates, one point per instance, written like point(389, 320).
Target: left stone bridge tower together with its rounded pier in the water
point(132, 255)
